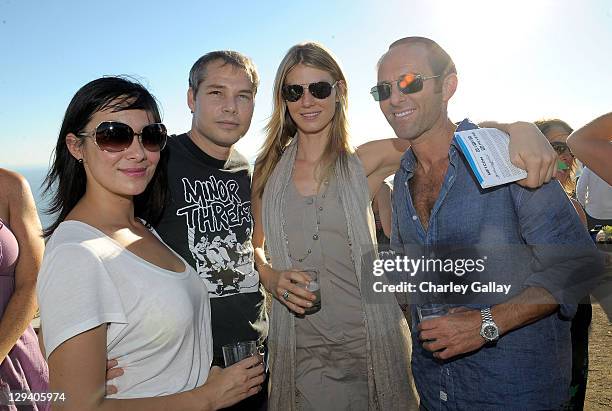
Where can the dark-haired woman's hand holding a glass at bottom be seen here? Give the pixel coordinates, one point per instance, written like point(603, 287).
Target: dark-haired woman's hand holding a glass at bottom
point(228, 386)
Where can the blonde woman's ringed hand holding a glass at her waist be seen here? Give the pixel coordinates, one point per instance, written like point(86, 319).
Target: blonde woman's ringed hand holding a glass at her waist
point(291, 284)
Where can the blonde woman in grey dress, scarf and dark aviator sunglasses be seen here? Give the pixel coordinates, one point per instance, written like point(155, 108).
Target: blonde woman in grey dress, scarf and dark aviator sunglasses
point(311, 206)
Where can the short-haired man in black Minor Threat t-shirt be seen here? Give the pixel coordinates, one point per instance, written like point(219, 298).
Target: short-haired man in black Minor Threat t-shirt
point(207, 219)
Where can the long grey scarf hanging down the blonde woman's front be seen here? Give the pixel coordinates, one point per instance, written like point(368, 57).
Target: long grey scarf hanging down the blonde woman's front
point(388, 344)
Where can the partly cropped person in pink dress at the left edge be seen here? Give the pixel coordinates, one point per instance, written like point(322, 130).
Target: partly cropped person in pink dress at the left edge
point(22, 365)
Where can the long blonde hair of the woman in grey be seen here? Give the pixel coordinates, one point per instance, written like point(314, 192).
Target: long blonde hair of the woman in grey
point(281, 128)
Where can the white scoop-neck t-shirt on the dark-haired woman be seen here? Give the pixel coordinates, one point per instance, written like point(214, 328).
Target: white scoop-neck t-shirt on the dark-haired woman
point(158, 320)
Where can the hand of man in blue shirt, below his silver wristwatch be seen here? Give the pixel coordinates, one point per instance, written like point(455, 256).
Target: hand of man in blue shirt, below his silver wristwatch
point(453, 334)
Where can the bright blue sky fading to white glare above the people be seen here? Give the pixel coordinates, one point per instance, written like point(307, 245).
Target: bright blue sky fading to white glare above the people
point(516, 60)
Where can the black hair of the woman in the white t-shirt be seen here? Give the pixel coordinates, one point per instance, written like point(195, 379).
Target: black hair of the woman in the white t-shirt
point(66, 179)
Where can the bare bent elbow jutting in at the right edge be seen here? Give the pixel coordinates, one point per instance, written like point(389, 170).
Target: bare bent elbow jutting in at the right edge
point(592, 145)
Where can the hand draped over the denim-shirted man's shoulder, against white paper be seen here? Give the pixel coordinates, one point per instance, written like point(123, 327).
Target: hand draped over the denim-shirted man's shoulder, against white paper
point(529, 150)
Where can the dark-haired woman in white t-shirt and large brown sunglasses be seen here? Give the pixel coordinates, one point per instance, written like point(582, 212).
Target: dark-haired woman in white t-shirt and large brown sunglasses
point(109, 287)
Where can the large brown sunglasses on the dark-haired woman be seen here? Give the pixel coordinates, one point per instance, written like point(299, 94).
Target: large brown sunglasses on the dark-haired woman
point(114, 137)
